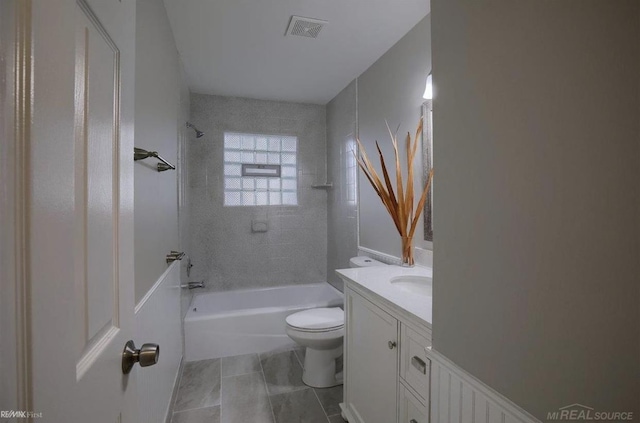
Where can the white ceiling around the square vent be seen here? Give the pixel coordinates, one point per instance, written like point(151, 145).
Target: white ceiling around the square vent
point(238, 47)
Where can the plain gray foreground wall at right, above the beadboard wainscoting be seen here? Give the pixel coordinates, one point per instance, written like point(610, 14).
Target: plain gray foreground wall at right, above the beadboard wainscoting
point(537, 156)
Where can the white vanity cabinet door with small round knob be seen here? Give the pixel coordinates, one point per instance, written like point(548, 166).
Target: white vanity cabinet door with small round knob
point(372, 362)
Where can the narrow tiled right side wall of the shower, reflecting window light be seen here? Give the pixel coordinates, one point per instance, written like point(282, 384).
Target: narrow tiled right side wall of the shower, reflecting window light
point(342, 213)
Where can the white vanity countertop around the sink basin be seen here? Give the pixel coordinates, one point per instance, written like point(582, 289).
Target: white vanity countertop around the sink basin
point(375, 280)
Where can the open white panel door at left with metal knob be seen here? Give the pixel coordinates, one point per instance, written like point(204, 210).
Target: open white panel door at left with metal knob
point(80, 207)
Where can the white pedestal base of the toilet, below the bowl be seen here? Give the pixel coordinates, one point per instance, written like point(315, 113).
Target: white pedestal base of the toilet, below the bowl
point(320, 368)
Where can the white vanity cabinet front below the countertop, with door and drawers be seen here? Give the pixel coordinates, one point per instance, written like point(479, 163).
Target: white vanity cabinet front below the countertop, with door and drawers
point(386, 372)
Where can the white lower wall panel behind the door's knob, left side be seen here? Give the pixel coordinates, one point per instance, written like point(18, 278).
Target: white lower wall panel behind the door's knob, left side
point(158, 320)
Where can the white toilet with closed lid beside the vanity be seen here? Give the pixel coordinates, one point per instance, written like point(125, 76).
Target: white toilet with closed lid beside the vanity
point(321, 332)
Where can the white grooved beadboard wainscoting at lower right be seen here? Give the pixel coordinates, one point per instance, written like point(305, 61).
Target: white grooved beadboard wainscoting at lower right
point(458, 397)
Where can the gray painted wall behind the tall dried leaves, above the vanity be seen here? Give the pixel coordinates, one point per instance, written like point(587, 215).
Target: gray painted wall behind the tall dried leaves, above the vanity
point(391, 89)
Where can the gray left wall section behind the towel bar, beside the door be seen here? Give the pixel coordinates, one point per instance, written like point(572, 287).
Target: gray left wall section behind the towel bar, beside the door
point(157, 117)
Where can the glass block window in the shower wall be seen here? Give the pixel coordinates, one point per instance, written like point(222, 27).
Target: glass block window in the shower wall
point(256, 149)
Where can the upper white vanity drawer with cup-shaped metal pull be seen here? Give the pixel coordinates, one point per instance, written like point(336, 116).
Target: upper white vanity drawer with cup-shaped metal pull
point(414, 366)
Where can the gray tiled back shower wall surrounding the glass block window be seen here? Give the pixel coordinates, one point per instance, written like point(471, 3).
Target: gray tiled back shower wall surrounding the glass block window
point(225, 253)
